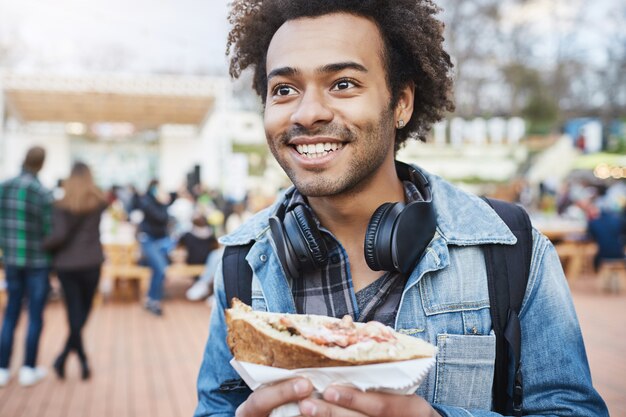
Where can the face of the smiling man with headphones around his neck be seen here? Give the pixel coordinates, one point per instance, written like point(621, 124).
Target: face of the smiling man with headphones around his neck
point(328, 120)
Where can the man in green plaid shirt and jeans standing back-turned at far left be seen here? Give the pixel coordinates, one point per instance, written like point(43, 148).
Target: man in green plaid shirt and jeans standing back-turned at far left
point(25, 217)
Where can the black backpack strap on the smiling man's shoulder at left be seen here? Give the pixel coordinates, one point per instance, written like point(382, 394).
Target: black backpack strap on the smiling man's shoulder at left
point(237, 273)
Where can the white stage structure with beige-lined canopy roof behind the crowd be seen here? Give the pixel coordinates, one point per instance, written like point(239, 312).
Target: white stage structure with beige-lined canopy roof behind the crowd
point(126, 126)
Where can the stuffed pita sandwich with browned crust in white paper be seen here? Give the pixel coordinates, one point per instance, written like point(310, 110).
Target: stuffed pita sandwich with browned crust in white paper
point(292, 341)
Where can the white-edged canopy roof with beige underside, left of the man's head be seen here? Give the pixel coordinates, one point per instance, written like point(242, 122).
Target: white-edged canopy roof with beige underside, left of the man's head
point(145, 101)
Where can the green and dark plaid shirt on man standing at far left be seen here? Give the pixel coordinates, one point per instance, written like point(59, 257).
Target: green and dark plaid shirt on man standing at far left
point(25, 219)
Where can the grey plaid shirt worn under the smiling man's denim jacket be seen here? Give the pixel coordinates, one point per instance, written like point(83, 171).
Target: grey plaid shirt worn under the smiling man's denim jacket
point(329, 291)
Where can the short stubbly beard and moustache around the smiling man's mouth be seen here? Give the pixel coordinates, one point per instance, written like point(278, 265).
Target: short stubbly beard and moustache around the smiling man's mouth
point(368, 148)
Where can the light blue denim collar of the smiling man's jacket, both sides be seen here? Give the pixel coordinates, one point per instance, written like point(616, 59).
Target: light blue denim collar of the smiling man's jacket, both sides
point(462, 219)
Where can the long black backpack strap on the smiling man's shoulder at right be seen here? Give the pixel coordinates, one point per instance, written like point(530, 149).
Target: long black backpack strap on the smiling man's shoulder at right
point(508, 268)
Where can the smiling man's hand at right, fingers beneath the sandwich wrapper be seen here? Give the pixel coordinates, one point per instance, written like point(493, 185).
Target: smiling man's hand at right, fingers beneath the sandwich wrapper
point(349, 402)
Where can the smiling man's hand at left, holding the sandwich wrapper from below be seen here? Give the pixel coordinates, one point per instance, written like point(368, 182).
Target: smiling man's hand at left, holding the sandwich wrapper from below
point(262, 401)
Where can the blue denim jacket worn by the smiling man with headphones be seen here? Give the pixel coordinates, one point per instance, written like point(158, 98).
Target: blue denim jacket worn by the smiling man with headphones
point(445, 302)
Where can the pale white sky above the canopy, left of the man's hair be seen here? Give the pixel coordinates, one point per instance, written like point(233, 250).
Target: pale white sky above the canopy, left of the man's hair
point(140, 35)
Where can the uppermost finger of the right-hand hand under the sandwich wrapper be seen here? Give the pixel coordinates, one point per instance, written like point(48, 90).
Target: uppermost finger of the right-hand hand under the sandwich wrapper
point(376, 404)
